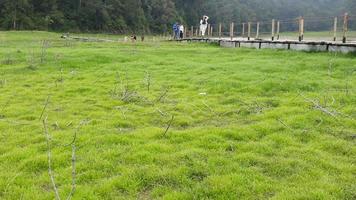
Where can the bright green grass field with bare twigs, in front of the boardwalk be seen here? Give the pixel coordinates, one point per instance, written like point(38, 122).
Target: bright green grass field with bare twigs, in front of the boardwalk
point(247, 124)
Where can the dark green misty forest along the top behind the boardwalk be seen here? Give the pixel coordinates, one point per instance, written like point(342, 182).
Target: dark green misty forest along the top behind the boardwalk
point(153, 16)
